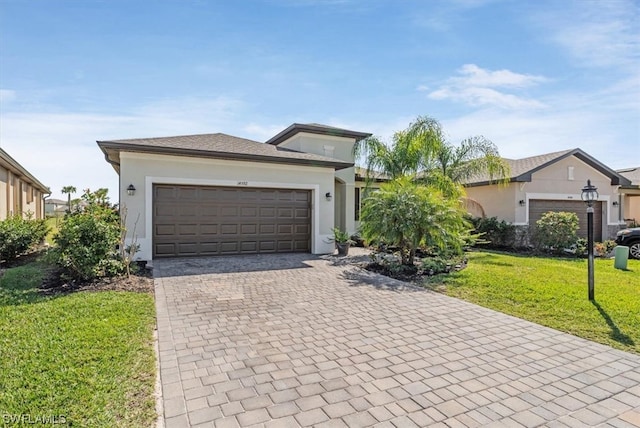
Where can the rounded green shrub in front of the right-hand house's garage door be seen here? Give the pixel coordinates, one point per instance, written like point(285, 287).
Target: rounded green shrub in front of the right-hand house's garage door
point(556, 231)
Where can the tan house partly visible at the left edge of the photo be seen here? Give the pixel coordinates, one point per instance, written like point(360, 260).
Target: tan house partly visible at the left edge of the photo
point(20, 192)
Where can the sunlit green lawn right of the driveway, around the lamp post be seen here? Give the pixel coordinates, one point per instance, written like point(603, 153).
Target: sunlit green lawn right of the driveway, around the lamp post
point(553, 292)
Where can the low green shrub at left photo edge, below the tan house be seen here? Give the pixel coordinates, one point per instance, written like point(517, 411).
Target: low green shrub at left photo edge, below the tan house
point(18, 235)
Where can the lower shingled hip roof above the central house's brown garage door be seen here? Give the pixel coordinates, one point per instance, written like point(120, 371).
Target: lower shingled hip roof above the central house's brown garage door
point(218, 146)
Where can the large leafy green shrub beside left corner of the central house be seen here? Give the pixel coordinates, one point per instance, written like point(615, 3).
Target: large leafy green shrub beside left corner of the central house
point(89, 240)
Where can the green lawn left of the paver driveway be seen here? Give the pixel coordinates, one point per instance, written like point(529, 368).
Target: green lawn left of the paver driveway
point(85, 359)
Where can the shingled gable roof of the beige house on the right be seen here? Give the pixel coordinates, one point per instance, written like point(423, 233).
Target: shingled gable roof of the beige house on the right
point(522, 169)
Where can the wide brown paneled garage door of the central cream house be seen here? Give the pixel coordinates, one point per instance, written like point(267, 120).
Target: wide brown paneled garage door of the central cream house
point(199, 220)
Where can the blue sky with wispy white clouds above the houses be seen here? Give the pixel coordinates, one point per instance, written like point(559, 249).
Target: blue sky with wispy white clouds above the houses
point(531, 76)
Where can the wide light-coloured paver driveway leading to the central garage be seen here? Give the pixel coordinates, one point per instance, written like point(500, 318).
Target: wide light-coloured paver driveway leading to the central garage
point(297, 340)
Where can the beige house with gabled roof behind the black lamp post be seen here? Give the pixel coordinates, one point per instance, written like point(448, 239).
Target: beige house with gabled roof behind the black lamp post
point(554, 182)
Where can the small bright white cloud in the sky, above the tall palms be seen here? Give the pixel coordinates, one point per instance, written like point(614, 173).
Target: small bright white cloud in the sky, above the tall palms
point(477, 87)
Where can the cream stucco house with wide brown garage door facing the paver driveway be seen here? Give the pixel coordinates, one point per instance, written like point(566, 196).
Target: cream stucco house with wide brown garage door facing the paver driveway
point(218, 194)
